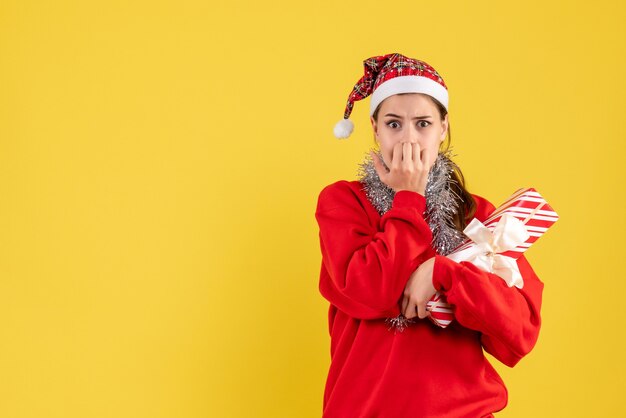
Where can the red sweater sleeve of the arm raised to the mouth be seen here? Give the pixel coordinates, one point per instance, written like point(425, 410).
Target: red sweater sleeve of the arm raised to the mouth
point(365, 266)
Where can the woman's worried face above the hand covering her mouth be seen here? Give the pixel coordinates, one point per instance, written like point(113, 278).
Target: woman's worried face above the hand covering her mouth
point(414, 118)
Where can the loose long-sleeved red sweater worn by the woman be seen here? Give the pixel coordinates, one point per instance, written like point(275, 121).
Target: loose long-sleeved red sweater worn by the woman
point(424, 371)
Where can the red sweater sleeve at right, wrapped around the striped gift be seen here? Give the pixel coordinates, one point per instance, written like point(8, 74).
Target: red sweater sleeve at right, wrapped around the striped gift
point(508, 318)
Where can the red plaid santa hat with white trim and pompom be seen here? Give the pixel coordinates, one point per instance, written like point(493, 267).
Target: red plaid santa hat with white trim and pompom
point(391, 74)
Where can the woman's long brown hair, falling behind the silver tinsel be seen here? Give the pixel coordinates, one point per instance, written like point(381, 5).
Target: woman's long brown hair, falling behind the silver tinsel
point(466, 202)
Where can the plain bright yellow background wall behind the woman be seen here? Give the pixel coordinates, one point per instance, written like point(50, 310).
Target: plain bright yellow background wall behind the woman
point(160, 163)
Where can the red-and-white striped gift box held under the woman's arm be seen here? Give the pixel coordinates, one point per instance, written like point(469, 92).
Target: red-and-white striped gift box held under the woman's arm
point(527, 206)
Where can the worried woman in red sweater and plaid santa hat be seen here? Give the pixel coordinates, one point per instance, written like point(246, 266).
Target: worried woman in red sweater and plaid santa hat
point(384, 239)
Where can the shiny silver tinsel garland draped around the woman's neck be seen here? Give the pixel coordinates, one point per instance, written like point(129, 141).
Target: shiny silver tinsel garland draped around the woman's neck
point(442, 204)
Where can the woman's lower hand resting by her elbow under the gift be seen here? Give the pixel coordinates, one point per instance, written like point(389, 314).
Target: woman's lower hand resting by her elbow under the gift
point(418, 291)
